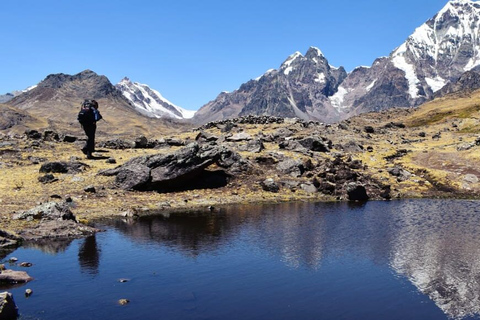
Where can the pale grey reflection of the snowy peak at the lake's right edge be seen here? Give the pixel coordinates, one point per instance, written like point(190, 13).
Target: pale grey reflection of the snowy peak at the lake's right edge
point(438, 249)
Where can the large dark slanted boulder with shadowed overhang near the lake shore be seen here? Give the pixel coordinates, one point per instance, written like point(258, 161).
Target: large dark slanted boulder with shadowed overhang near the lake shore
point(175, 170)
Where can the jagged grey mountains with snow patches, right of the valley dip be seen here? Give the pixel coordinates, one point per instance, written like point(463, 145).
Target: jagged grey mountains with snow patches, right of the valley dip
point(438, 52)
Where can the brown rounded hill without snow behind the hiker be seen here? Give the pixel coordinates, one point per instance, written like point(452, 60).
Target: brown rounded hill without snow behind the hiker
point(58, 97)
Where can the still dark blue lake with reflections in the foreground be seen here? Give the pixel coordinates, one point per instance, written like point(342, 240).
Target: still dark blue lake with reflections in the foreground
point(412, 259)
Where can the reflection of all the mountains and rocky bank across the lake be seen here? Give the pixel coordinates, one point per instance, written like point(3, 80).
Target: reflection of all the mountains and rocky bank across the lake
point(435, 244)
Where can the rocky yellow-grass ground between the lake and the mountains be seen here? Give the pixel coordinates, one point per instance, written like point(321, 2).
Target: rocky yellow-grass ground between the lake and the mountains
point(49, 190)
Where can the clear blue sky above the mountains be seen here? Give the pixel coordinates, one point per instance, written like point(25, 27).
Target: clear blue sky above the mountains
point(191, 50)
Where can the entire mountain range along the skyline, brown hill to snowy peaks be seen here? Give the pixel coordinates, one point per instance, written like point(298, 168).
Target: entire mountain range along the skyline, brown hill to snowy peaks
point(440, 57)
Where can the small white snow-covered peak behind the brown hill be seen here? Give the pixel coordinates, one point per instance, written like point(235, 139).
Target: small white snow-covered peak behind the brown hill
point(150, 102)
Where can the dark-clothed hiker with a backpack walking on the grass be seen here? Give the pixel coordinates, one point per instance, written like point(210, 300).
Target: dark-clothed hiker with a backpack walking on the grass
point(88, 117)
